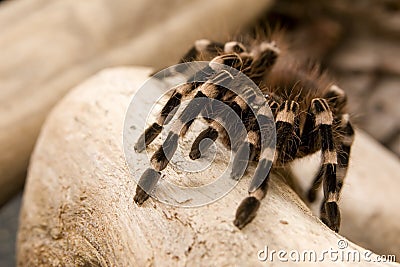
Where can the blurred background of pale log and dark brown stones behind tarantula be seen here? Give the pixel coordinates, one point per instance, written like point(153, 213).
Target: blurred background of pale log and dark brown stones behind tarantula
point(357, 42)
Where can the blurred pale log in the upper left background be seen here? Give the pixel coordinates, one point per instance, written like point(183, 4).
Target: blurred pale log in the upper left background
point(47, 47)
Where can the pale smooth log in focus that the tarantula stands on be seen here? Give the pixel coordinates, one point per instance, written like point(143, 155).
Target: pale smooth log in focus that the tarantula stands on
point(78, 207)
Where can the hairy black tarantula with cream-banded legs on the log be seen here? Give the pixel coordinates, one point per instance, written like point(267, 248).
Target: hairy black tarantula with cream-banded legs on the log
point(309, 113)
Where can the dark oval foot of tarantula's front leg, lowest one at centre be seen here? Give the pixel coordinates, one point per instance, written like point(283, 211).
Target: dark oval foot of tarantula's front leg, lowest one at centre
point(246, 212)
